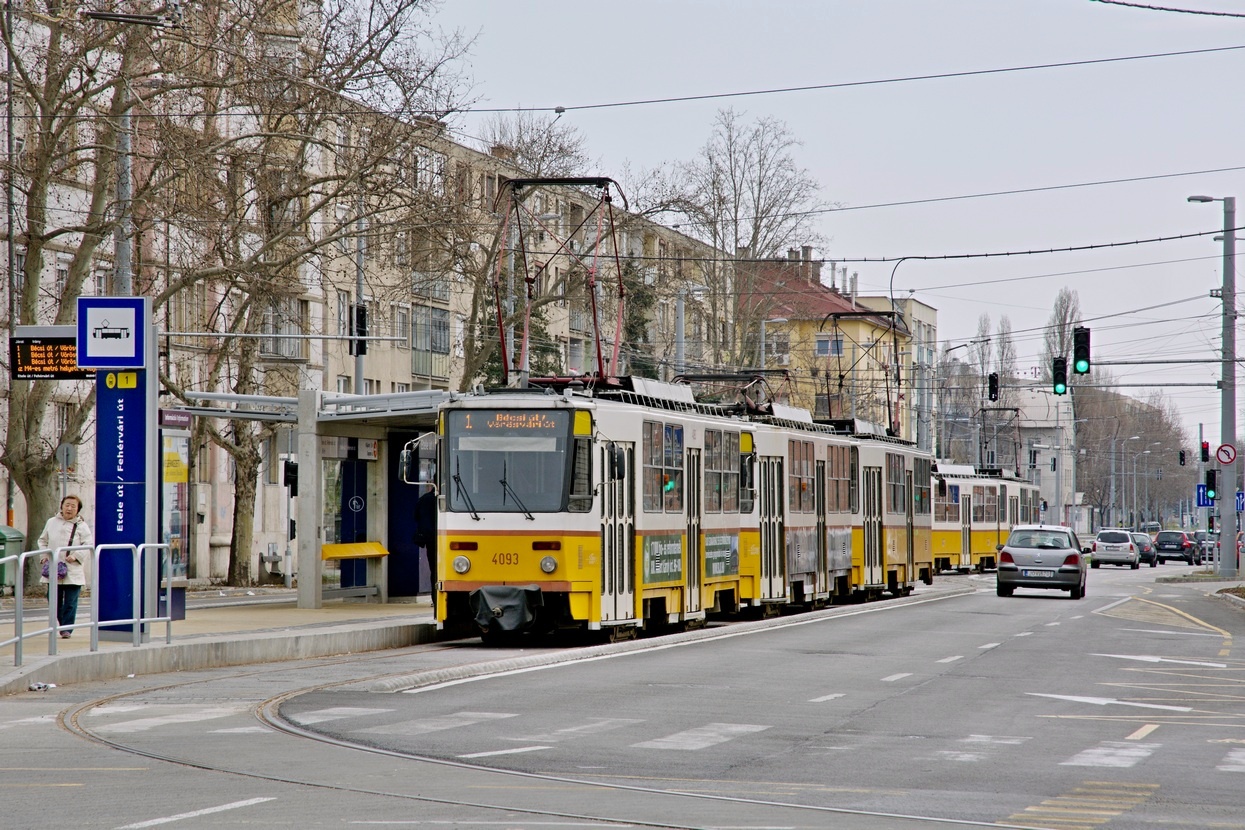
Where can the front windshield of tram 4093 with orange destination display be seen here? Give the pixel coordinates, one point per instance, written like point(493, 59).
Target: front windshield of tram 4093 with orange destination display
point(507, 461)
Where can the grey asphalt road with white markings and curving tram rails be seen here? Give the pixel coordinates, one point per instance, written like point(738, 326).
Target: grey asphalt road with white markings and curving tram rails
point(1117, 711)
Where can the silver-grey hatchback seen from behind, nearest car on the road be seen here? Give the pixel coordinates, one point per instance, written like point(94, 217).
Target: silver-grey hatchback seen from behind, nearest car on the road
point(1044, 557)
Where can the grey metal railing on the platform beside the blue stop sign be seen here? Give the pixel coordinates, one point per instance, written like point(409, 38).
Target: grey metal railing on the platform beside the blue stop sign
point(138, 620)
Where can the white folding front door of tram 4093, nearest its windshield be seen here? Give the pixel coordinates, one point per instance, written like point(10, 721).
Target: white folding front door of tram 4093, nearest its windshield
point(618, 538)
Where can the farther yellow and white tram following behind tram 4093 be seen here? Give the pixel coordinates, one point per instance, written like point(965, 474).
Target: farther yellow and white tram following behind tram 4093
point(974, 512)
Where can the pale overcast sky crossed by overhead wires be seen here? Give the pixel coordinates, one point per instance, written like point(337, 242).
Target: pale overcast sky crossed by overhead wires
point(928, 140)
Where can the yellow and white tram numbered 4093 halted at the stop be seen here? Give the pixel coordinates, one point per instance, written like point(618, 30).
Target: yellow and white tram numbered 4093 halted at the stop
point(634, 506)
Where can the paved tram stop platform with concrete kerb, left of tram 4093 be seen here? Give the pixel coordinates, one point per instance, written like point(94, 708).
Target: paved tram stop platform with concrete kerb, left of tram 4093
point(222, 628)
